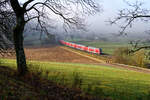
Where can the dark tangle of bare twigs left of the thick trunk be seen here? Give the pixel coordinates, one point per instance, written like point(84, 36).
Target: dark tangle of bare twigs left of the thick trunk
point(7, 22)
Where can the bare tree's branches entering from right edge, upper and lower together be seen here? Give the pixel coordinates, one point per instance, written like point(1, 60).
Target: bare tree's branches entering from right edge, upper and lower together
point(130, 15)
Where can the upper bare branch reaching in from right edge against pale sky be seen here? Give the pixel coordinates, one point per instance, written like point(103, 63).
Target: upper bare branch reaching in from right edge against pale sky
point(131, 15)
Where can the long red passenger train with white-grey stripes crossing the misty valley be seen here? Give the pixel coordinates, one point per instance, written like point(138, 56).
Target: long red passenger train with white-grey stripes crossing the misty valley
point(82, 47)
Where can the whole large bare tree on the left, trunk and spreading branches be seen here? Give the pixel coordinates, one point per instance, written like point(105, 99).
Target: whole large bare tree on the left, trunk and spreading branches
point(70, 11)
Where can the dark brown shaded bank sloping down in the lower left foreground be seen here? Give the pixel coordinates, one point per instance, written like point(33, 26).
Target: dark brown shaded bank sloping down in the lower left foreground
point(34, 87)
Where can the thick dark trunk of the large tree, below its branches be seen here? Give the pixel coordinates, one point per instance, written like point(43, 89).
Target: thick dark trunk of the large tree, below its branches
point(18, 43)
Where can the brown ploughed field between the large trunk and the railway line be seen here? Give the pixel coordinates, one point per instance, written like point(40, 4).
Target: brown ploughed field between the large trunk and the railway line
point(55, 54)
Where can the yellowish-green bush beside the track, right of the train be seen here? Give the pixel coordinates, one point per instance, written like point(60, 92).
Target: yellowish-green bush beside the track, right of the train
point(123, 56)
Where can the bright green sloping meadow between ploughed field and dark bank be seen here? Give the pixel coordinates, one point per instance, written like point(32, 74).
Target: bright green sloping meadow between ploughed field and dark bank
point(118, 84)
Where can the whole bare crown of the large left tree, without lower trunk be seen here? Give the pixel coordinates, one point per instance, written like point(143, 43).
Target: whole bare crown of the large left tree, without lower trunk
point(70, 11)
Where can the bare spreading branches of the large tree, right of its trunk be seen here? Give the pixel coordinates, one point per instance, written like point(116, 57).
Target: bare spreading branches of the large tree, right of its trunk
point(62, 9)
